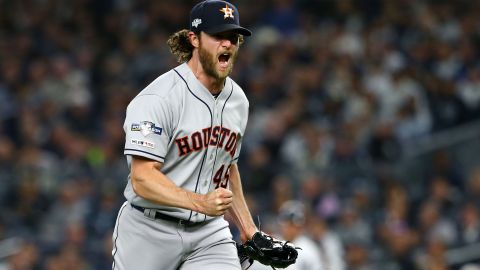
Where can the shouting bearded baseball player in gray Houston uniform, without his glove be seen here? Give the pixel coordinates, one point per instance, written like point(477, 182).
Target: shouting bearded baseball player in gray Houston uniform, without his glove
point(183, 138)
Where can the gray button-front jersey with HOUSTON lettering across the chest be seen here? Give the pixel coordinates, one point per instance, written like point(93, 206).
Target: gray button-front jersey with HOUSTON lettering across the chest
point(176, 121)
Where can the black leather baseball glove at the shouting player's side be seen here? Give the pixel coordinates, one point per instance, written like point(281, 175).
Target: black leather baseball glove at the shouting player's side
point(268, 251)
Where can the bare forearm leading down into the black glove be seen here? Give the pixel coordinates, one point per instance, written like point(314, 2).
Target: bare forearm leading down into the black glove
point(239, 210)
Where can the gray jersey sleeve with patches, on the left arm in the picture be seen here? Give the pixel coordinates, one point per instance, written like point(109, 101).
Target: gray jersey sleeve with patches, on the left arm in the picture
point(147, 127)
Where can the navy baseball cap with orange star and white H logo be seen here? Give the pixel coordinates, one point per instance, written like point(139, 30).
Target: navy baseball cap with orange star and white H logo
point(215, 16)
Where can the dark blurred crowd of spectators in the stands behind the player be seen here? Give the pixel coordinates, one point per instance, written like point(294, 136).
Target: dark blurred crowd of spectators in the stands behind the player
point(337, 90)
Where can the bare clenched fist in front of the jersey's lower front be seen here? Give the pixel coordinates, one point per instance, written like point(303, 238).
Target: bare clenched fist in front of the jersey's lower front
point(216, 202)
